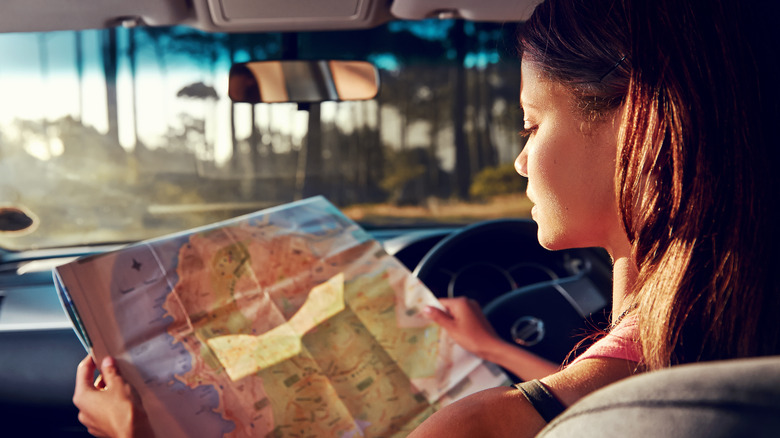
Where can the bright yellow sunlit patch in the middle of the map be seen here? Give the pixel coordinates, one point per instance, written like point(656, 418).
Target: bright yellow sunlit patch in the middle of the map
point(242, 355)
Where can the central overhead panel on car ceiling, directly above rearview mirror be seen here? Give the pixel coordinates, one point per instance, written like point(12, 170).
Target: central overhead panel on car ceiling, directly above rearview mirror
point(284, 15)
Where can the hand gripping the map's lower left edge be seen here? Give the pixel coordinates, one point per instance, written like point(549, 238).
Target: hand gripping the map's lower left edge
point(108, 406)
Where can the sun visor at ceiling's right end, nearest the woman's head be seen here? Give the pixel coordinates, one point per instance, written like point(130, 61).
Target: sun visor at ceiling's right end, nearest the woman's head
point(484, 10)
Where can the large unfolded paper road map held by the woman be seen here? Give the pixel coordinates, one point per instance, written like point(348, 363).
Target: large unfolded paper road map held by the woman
point(289, 322)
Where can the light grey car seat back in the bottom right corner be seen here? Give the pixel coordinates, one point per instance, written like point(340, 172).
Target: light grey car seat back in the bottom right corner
point(734, 398)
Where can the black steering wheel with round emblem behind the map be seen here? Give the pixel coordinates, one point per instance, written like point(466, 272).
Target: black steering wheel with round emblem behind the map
point(541, 300)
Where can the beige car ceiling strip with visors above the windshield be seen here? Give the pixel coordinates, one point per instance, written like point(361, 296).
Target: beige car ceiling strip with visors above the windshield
point(247, 15)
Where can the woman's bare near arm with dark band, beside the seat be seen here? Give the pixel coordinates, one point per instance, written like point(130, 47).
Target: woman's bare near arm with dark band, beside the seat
point(505, 412)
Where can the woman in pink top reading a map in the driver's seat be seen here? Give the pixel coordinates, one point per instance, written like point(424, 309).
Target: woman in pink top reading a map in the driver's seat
point(650, 134)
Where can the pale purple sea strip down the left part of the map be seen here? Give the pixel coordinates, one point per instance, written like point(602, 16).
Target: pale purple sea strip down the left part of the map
point(143, 277)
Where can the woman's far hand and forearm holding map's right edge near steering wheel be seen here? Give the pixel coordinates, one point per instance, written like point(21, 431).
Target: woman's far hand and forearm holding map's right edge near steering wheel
point(465, 322)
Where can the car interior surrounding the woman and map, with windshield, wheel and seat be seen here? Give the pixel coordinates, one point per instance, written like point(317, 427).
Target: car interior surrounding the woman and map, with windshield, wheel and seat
point(544, 301)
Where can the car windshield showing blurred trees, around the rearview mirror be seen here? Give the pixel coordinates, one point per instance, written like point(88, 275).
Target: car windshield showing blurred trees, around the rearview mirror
point(118, 135)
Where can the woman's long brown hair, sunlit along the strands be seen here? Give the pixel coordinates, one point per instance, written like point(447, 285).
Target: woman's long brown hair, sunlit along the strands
point(696, 176)
